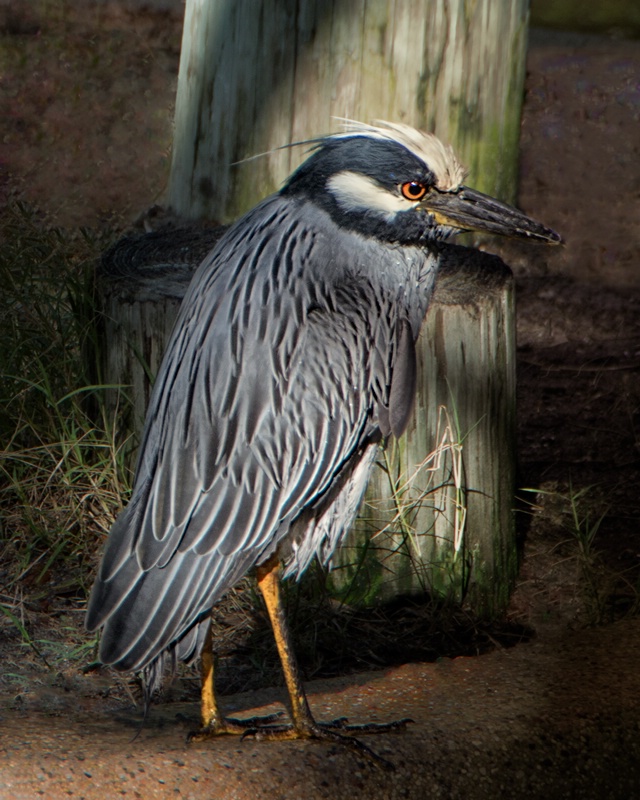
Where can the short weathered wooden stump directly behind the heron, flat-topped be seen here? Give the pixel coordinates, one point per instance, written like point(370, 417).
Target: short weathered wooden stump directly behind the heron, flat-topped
point(439, 521)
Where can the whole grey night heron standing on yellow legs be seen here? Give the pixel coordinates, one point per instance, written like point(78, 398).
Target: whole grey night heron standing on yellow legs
point(292, 357)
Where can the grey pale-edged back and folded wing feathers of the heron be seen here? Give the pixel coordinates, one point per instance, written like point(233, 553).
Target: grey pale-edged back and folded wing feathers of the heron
point(272, 380)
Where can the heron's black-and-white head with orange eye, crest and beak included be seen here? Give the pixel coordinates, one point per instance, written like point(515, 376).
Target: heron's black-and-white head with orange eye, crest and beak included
point(398, 184)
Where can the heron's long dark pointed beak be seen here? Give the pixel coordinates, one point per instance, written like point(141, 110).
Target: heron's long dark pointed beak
point(469, 210)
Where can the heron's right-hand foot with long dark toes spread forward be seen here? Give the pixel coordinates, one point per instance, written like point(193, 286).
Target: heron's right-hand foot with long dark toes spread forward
point(335, 731)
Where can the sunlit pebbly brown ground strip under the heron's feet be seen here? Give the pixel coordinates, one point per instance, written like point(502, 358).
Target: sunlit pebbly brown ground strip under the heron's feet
point(543, 720)
